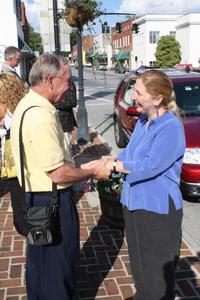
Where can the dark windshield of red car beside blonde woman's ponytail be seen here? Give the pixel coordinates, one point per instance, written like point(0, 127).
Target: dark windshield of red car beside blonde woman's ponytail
point(188, 97)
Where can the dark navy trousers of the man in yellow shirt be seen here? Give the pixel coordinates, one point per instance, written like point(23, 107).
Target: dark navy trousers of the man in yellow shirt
point(51, 271)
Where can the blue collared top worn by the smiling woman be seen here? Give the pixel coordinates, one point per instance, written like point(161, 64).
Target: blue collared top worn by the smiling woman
point(154, 158)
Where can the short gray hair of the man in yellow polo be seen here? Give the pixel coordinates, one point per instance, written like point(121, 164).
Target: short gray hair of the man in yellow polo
point(46, 65)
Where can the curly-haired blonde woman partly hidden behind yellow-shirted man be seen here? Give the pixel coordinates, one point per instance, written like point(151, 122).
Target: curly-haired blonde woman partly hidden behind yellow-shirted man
point(12, 90)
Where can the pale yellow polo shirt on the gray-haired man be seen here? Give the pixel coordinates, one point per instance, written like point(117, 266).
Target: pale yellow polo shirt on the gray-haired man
point(44, 142)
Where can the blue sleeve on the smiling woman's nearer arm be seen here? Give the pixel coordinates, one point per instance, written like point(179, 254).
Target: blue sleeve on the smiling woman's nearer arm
point(168, 146)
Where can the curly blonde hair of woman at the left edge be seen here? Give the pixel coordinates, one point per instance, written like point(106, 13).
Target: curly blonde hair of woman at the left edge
point(12, 90)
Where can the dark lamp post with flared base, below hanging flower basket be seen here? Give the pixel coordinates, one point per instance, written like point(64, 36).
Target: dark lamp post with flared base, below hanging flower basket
point(82, 118)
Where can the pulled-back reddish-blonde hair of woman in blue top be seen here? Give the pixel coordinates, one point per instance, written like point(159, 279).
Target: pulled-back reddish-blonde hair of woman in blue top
point(158, 83)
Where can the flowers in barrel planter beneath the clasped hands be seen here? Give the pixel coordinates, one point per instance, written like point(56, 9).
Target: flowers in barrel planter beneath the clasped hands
point(113, 185)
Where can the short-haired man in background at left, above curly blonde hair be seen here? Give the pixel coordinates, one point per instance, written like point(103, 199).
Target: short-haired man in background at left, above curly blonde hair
point(12, 56)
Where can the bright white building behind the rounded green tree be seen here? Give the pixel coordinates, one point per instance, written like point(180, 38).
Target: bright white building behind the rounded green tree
point(185, 28)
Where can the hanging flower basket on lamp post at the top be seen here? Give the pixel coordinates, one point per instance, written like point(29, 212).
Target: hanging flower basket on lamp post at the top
point(81, 11)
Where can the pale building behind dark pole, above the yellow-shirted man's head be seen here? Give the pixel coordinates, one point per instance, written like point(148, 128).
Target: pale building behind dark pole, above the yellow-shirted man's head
point(47, 27)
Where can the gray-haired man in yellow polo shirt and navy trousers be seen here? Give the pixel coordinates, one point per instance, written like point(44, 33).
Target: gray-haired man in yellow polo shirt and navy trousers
point(50, 270)
